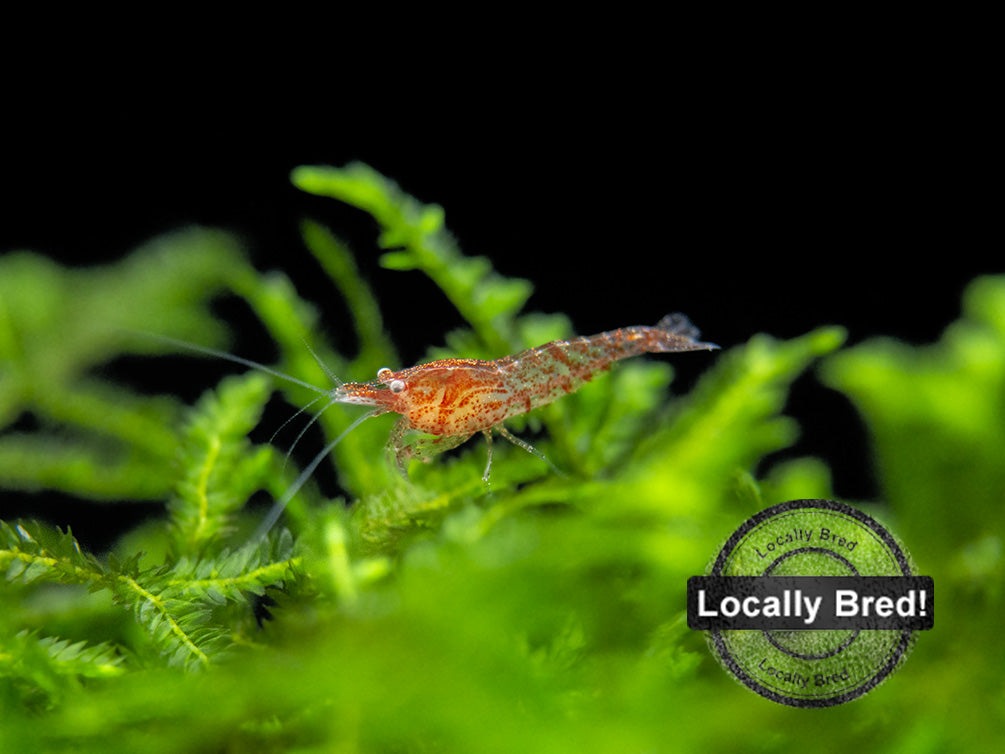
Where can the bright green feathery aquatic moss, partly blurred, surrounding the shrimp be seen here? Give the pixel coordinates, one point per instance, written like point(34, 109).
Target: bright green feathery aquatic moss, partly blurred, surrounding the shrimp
point(542, 614)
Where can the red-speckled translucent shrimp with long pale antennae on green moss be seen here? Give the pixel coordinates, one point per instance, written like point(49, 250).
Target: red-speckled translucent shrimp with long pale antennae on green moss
point(453, 400)
